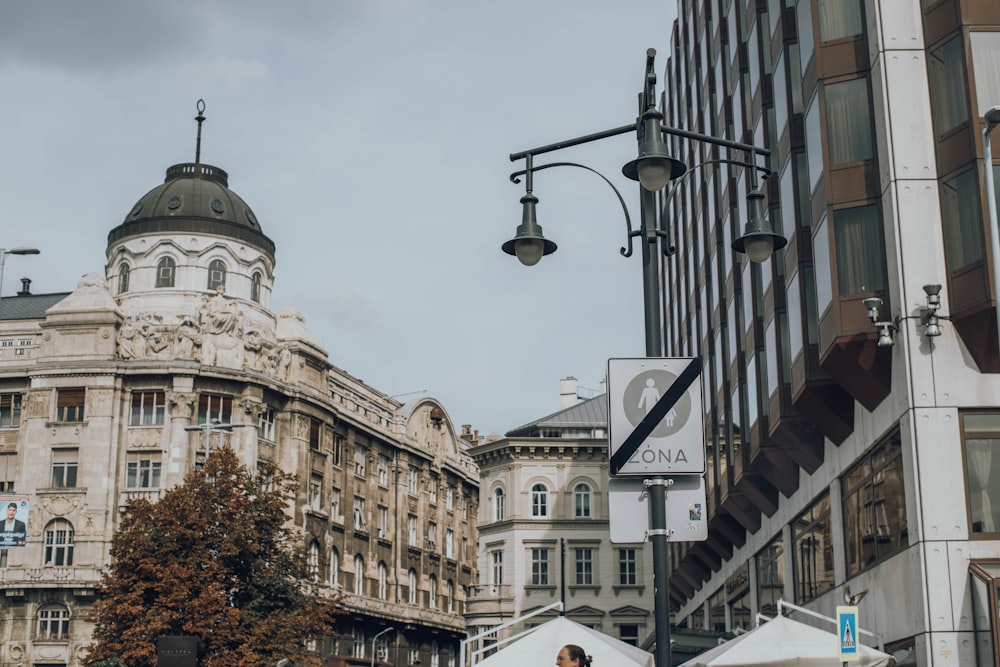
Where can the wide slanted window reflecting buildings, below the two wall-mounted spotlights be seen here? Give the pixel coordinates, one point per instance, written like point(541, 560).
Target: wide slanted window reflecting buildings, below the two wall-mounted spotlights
point(875, 506)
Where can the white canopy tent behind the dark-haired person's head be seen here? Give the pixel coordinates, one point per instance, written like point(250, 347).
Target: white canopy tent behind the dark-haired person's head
point(539, 648)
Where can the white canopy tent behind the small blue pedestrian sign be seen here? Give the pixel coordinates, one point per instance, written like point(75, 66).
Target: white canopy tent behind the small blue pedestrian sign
point(782, 642)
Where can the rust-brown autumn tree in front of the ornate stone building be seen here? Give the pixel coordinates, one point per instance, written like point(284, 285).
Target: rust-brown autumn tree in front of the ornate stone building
point(213, 558)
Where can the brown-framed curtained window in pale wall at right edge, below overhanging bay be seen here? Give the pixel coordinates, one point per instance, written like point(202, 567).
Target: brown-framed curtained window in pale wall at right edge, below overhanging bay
point(981, 435)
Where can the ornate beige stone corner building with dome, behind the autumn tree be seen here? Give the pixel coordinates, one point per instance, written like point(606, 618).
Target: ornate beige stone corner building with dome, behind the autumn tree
point(99, 388)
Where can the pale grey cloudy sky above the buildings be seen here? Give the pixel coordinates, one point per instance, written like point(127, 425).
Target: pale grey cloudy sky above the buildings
point(372, 140)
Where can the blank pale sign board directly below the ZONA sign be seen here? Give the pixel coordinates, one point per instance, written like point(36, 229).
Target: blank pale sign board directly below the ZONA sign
point(628, 509)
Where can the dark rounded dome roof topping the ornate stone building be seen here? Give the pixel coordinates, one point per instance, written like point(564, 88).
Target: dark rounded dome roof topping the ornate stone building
point(194, 198)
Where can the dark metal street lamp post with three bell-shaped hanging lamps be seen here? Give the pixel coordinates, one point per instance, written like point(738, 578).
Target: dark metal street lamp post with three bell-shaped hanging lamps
point(654, 169)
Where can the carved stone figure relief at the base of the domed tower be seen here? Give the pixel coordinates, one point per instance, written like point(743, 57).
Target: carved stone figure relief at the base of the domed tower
point(215, 336)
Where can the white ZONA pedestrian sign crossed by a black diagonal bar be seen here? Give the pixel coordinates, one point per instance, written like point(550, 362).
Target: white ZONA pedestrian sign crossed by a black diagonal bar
point(655, 417)
